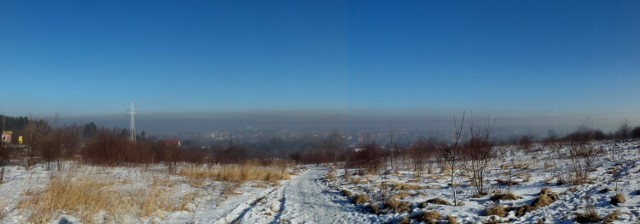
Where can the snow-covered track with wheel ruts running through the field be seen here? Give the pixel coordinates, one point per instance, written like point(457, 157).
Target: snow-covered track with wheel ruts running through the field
point(304, 199)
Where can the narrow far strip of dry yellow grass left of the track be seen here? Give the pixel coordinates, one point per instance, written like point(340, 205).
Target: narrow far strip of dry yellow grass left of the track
point(236, 173)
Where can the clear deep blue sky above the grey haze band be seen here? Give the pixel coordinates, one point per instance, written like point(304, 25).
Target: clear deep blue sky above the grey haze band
point(95, 57)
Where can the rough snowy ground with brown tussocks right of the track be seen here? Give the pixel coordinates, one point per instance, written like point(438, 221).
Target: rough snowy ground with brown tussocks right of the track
point(616, 171)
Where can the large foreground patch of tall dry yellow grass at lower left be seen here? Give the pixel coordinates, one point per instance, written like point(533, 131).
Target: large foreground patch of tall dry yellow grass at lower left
point(85, 195)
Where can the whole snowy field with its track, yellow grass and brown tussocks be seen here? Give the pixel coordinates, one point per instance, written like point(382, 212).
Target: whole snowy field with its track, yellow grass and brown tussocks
point(322, 194)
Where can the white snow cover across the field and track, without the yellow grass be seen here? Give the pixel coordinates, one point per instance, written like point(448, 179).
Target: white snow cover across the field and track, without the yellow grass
point(312, 196)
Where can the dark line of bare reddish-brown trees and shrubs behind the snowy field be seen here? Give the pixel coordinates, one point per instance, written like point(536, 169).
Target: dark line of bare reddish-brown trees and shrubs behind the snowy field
point(111, 147)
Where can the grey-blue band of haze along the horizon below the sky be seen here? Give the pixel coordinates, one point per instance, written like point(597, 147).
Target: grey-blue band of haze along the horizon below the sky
point(425, 123)
